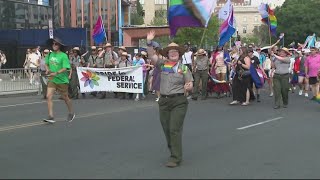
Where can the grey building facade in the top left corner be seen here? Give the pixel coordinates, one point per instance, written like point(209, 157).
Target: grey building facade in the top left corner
point(24, 14)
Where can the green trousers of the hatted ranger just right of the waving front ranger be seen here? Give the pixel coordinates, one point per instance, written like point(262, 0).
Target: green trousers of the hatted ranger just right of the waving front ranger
point(203, 76)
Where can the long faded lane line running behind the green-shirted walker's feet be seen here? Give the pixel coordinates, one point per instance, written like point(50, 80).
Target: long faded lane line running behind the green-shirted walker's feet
point(38, 123)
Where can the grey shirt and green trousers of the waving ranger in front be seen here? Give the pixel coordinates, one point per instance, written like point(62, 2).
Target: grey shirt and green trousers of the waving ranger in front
point(173, 105)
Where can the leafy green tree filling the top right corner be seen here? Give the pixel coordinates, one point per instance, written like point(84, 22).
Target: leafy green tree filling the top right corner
point(298, 19)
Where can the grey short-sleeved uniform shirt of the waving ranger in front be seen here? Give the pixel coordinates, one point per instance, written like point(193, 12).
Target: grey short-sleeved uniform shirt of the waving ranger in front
point(173, 83)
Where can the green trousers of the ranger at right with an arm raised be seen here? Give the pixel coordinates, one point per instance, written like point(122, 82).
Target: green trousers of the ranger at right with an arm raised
point(281, 88)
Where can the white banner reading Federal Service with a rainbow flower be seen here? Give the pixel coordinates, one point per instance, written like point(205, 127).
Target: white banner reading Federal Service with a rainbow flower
point(129, 79)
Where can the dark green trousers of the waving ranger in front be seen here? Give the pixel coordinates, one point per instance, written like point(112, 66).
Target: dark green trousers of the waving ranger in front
point(172, 113)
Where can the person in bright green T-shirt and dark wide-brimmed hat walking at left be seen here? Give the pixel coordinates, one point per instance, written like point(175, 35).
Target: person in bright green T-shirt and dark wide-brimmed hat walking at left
point(57, 64)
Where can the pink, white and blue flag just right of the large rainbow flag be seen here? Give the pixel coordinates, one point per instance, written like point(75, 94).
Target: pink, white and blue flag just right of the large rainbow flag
point(227, 29)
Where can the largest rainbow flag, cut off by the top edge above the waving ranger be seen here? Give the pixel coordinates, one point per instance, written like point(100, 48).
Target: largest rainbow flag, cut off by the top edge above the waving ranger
point(189, 13)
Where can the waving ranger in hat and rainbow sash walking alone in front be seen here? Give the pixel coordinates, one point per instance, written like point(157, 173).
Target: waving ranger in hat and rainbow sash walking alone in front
point(173, 105)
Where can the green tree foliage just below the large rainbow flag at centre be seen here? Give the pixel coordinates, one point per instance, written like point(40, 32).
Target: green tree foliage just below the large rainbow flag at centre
point(194, 35)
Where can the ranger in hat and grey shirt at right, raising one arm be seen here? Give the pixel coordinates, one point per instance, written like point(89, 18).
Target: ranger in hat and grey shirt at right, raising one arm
point(281, 64)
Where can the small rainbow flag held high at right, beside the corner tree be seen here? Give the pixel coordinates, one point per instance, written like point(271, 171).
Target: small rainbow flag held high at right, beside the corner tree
point(268, 18)
